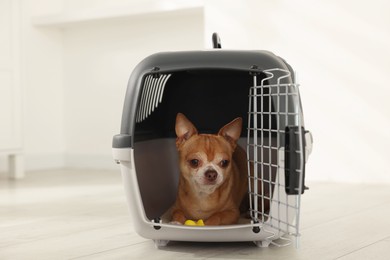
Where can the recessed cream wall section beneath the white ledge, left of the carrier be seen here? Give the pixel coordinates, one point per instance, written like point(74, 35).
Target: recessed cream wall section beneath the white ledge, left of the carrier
point(99, 58)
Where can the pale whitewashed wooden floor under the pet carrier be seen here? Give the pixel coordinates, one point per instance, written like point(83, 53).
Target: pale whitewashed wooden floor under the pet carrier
point(70, 214)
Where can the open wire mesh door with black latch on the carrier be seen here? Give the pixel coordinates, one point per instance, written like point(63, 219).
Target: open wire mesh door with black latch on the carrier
point(275, 154)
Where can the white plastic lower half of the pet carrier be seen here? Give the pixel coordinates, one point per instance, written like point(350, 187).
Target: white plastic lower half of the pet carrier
point(280, 225)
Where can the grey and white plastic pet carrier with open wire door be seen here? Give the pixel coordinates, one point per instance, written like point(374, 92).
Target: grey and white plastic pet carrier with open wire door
point(213, 87)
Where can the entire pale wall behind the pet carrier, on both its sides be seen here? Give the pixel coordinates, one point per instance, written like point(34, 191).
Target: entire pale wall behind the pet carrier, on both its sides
point(340, 49)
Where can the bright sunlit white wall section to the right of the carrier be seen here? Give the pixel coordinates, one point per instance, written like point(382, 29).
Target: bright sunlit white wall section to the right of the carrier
point(341, 51)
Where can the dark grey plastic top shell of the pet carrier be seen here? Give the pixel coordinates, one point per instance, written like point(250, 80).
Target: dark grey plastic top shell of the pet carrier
point(252, 62)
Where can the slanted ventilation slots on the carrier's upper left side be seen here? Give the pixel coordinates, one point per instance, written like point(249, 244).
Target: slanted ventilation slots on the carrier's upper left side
point(152, 93)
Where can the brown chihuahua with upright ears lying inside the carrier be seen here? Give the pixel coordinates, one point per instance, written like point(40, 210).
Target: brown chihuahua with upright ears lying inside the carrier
point(213, 174)
